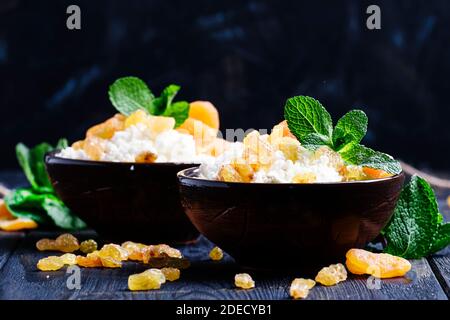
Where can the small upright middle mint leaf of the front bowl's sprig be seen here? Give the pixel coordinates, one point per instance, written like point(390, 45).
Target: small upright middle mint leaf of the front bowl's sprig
point(352, 127)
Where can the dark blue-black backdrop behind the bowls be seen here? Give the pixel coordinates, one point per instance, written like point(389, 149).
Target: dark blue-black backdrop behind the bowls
point(245, 57)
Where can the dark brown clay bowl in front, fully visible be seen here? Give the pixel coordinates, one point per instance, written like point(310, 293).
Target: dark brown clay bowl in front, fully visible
point(266, 226)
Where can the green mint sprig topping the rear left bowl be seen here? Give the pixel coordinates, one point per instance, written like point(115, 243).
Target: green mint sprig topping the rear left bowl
point(130, 94)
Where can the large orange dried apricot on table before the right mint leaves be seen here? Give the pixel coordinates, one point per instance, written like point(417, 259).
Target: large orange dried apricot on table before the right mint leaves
point(380, 265)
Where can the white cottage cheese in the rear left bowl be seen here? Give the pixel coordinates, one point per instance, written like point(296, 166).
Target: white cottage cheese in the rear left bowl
point(126, 145)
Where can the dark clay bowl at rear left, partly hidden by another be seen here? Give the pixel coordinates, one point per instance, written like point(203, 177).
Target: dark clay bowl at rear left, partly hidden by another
point(124, 201)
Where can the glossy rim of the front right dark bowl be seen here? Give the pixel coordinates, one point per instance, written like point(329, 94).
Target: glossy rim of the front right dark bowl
point(183, 175)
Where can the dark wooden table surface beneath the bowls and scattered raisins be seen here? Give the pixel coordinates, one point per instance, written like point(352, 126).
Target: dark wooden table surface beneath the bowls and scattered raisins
point(429, 278)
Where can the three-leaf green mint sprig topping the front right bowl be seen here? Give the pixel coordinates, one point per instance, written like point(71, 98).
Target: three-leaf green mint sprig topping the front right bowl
point(311, 123)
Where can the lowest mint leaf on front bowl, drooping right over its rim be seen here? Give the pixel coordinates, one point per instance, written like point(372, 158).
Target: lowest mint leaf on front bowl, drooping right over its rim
point(357, 154)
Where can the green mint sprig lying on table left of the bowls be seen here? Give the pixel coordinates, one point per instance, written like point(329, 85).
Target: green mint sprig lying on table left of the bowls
point(40, 203)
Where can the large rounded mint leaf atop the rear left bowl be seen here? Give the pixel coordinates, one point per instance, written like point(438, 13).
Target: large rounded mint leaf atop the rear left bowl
point(130, 94)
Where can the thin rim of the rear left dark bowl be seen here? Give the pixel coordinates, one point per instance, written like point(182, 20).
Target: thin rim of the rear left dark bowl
point(53, 158)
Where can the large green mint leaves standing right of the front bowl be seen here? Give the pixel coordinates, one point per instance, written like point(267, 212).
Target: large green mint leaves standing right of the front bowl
point(416, 229)
